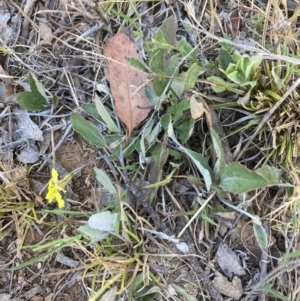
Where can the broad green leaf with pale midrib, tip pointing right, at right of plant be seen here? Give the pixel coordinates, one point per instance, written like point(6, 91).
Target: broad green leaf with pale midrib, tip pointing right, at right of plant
point(236, 178)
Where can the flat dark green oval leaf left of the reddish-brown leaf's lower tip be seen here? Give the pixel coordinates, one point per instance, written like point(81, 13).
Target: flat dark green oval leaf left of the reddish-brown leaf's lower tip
point(87, 130)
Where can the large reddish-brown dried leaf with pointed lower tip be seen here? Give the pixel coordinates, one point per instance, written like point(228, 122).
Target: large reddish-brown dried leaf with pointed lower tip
point(126, 82)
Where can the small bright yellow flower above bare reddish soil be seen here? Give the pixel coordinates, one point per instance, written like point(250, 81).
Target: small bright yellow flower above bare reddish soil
point(55, 187)
